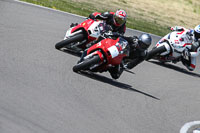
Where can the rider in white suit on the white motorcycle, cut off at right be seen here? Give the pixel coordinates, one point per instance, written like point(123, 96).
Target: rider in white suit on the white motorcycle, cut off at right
point(193, 37)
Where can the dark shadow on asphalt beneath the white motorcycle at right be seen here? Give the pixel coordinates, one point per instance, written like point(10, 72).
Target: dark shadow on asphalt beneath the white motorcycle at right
point(179, 69)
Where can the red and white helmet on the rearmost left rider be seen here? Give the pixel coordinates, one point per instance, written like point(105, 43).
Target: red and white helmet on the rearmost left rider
point(119, 17)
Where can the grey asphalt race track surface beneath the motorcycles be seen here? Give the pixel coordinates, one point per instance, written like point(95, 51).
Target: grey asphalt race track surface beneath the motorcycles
point(39, 92)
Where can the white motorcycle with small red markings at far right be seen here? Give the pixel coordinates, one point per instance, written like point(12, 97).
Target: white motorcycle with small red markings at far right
point(173, 47)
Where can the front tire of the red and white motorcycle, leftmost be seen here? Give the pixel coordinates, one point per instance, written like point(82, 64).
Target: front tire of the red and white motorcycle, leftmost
point(76, 38)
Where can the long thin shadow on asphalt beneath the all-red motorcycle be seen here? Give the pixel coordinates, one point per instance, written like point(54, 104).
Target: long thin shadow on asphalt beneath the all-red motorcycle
point(114, 83)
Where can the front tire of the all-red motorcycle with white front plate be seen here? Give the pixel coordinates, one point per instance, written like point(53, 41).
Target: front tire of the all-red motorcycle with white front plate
point(86, 63)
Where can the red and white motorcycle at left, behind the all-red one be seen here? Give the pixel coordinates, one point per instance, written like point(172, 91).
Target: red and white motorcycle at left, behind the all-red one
point(79, 35)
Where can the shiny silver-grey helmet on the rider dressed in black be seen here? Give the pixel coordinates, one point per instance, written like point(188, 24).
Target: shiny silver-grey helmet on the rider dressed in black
point(144, 41)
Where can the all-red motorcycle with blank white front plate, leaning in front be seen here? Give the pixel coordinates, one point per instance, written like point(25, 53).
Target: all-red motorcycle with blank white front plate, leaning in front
point(104, 55)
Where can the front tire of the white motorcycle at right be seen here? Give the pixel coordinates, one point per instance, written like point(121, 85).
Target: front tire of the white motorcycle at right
point(154, 52)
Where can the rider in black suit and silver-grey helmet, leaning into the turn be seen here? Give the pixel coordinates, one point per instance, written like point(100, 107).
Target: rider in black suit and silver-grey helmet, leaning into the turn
point(137, 54)
